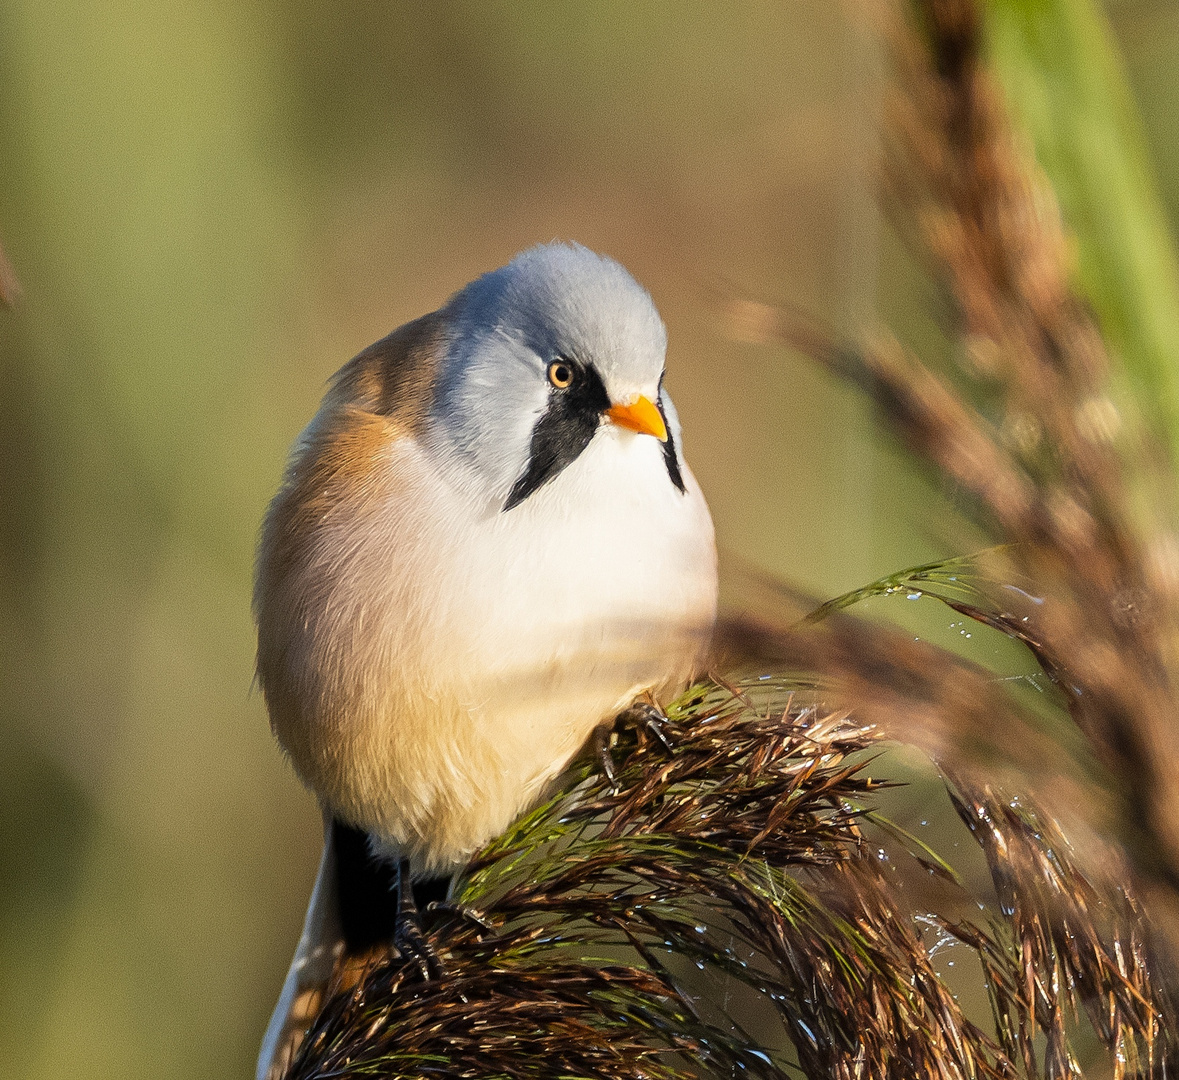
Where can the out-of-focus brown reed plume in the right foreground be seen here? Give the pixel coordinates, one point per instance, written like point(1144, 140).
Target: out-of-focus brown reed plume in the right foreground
point(1029, 429)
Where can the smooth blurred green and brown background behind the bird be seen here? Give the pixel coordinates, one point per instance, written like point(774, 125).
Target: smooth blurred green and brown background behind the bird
point(212, 206)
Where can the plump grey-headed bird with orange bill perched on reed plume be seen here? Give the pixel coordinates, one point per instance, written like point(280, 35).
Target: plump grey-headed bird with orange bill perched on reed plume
point(486, 545)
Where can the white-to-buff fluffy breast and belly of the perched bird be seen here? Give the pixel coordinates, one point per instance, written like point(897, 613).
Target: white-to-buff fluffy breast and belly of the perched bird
point(458, 658)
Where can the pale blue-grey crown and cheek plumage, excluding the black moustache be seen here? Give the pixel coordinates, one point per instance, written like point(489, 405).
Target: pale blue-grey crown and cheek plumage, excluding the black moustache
point(505, 328)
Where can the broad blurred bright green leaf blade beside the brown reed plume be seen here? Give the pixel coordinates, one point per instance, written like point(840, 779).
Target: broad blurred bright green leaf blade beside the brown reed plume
point(1068, 90)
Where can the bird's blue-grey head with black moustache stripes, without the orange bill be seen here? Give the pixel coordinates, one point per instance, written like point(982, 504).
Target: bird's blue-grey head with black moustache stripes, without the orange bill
point(537, 353)
